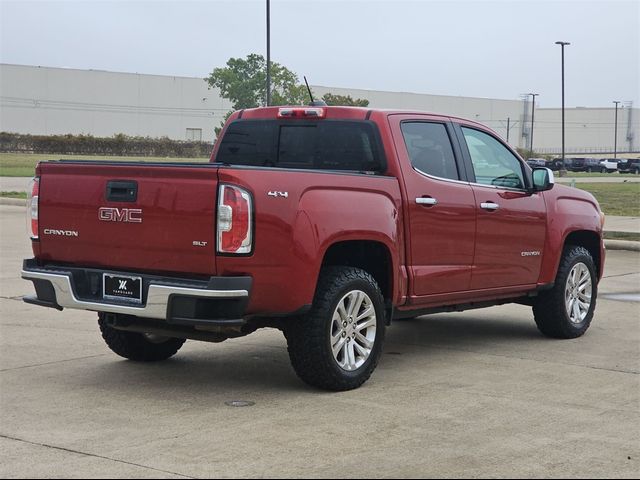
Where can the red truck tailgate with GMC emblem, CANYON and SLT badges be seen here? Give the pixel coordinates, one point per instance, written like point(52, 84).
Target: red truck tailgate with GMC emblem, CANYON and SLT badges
point(128, 216)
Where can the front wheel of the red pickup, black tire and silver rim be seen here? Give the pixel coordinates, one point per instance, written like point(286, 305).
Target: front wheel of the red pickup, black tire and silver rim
point(567, 309)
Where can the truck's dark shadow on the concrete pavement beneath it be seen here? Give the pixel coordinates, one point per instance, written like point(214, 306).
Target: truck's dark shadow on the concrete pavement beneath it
point(242, 367)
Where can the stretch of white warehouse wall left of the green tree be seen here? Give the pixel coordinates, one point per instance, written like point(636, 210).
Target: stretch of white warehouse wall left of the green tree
point(40, 100)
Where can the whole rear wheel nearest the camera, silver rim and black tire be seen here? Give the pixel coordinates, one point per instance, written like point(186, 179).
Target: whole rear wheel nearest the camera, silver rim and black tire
point(338, 344)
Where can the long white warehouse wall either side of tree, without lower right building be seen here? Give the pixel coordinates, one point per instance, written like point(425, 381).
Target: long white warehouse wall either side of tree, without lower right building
point(43, 100)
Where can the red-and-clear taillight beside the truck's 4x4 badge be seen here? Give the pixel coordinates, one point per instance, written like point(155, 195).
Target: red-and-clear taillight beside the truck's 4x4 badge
point(234, 221)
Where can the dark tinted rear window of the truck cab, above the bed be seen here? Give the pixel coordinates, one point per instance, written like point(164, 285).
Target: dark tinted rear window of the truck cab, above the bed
point(323, 145)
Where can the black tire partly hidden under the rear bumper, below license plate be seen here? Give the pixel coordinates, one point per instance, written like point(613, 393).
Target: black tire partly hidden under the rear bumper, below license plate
point(137, 346)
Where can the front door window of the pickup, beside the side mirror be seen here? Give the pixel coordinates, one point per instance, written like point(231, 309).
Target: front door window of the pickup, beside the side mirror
point(493, 163)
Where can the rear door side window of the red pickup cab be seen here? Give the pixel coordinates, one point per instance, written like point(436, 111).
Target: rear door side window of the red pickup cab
point(430, 149)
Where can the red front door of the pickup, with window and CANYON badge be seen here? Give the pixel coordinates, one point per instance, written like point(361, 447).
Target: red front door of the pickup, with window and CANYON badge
point(511, 222)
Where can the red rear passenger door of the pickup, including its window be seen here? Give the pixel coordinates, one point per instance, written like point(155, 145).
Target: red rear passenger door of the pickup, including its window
point(440, 205)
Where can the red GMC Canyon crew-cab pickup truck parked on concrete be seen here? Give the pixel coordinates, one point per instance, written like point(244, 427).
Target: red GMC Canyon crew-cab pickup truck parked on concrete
point(324, 222)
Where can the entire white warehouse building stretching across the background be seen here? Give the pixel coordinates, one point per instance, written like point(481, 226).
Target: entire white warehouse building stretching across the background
point(50, 101)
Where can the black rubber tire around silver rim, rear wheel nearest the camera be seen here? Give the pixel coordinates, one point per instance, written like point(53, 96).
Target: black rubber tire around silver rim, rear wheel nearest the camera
point(309, 337)
